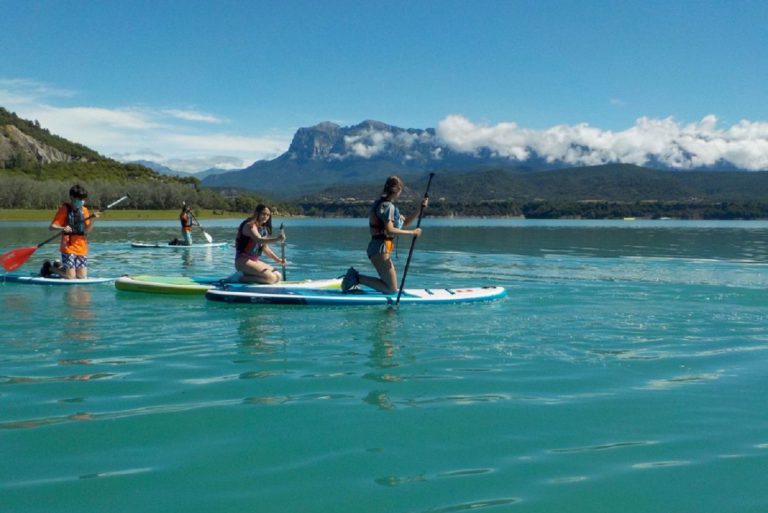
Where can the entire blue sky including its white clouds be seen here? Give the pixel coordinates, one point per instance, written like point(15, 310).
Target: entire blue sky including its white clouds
point(195, 84)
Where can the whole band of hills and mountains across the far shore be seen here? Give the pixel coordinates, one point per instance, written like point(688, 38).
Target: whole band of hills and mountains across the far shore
point(333, 170)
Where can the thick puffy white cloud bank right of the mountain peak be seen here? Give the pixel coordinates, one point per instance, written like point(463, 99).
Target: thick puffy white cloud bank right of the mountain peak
point(683, 146)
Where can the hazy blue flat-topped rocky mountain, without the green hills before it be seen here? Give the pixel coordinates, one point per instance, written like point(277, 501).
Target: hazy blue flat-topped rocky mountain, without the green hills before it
point(328, 155)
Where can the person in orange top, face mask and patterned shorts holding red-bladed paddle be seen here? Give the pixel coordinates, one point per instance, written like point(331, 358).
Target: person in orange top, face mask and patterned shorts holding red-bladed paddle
point(75, 221)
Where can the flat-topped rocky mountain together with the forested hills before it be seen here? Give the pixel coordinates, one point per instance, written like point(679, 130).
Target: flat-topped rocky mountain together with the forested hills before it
point(328, 162)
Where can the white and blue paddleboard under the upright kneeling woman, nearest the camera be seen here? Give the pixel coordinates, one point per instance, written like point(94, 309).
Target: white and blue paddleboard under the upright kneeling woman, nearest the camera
point(303, 296)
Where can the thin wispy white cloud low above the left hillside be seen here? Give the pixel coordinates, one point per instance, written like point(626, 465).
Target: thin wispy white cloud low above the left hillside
point(140, 133)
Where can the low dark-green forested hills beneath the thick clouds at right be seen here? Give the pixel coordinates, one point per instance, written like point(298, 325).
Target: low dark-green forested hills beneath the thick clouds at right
point(611, 183)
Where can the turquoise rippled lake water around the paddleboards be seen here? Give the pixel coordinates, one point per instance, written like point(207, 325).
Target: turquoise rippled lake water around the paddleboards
point(626, 371)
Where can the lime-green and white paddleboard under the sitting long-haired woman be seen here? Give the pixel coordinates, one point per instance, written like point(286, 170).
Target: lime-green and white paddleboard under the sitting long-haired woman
point(199, 285)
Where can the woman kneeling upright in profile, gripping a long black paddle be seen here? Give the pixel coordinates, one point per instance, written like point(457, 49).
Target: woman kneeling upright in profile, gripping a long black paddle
point(385, 223)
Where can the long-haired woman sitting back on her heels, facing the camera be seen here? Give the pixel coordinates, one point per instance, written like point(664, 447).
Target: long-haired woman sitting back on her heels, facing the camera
point(253, 238)
